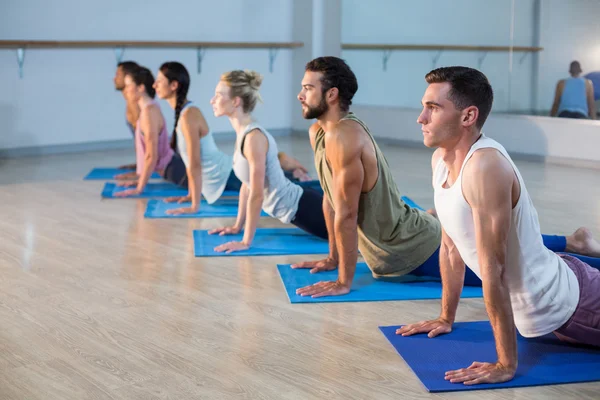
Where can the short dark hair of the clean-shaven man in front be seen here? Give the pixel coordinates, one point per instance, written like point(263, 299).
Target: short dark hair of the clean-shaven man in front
point(470, 87)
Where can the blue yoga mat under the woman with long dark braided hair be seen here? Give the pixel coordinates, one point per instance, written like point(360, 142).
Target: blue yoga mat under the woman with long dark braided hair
point(221, 208)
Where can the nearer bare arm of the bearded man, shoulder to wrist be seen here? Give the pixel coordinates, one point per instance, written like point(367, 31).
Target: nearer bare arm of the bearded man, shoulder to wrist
point(343, 151)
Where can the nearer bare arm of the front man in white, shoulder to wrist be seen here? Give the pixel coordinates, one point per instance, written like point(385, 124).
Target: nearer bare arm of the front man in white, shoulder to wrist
point(487, 185)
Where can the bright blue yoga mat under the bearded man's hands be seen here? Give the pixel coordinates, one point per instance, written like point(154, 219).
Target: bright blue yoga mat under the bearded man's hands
point(365, 287)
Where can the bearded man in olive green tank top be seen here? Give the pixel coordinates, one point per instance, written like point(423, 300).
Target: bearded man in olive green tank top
point(362, 204)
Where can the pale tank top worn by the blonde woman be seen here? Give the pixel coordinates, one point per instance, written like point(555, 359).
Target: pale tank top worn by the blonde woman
point(281, 196)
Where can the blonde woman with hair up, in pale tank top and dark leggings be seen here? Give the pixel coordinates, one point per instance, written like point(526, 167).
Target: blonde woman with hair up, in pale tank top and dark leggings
point(256, 164)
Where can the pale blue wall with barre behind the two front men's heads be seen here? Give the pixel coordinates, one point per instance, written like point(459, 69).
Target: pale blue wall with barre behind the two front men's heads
point(451, 22)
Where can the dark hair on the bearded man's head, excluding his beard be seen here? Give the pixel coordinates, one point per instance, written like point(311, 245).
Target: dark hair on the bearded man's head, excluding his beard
point(336, 73)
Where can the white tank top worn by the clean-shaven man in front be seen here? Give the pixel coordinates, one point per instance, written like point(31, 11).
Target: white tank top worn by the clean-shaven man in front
point(544, 291)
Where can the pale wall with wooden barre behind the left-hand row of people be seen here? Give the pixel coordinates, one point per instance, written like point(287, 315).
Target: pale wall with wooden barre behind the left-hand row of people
point(67, 96)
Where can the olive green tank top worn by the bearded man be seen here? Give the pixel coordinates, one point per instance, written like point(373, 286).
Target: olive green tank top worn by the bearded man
point(393, 238)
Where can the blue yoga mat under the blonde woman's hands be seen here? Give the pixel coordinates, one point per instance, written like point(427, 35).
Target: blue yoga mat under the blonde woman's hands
point(267, 242)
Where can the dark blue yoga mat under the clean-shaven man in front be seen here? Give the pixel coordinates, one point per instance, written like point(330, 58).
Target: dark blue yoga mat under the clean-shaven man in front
point(542, 361)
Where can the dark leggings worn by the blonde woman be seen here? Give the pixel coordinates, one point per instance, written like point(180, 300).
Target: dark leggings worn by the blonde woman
point(310, 217)
